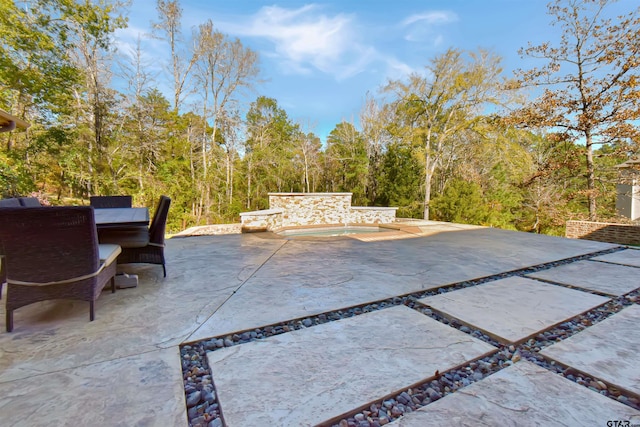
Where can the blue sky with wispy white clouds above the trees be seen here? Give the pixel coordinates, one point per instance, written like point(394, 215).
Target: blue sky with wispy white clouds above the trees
point(320, 59)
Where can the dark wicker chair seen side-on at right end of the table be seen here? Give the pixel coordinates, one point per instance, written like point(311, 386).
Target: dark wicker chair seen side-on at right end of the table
point(152, 252)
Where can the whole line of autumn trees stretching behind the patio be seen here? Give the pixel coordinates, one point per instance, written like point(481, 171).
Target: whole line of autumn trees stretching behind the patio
point(455, 143)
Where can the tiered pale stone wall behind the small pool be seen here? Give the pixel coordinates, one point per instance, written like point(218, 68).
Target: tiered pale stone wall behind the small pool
point(308, 209)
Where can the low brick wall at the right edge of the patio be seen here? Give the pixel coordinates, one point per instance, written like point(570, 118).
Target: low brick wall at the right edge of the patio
point(623, 234)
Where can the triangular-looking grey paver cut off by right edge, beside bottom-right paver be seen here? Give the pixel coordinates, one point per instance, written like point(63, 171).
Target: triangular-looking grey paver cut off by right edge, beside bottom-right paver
point(609, 350)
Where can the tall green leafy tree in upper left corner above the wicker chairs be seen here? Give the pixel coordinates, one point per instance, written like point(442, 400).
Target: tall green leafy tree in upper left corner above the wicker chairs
point(45, 79)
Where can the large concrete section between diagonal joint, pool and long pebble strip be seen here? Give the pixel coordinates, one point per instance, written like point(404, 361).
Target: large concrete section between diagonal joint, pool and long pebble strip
point(305, 278)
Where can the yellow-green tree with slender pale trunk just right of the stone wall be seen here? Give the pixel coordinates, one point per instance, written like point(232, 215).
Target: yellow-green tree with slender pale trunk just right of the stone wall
point(450, 98)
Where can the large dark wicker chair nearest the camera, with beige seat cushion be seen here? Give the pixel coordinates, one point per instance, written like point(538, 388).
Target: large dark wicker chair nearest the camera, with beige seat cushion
point(53, 253)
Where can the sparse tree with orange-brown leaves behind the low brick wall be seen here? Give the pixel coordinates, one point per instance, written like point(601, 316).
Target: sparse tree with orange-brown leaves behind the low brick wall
point(590, 80)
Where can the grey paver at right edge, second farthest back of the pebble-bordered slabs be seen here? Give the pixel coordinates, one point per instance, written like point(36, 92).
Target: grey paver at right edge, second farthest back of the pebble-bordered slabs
point(606, 278)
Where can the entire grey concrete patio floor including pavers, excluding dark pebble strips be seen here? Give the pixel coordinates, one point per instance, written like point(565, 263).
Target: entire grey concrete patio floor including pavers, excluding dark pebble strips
point(124, 368)
